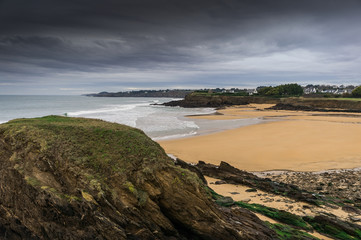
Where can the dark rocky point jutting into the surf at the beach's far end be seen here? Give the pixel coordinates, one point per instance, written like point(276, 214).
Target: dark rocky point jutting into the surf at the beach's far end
point(209, 100)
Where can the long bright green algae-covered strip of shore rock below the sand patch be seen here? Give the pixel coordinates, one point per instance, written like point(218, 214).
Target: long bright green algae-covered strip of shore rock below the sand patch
point(278, 215)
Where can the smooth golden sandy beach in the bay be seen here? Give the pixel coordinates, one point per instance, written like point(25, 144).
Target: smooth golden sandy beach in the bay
point(295, 140)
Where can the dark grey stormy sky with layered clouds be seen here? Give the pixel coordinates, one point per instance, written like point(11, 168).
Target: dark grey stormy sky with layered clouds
point(83, 46)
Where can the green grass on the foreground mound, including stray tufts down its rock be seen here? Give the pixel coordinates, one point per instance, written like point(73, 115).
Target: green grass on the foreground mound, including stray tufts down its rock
point(101, 150)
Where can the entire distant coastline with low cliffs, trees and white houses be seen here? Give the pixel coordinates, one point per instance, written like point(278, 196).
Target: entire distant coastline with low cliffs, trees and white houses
point(291, 96)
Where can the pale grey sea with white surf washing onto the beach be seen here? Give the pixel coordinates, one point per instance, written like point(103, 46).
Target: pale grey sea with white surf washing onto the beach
point(157, 121)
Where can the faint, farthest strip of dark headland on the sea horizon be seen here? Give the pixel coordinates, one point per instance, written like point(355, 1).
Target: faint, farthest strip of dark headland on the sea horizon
point(144, 93)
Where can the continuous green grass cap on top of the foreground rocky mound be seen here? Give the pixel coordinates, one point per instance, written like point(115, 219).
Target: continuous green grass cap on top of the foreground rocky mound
point(105, 147)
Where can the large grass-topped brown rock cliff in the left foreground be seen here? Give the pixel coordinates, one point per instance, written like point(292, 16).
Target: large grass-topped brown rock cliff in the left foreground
point(72, 178)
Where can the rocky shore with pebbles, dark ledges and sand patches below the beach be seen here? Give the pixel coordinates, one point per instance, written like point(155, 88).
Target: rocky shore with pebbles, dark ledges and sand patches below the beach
point(337, 209)
